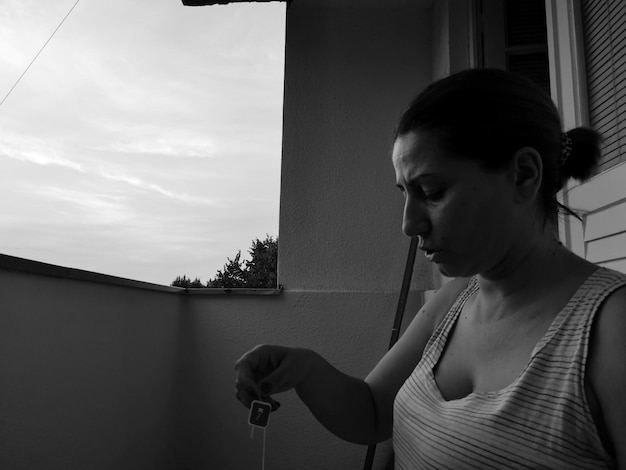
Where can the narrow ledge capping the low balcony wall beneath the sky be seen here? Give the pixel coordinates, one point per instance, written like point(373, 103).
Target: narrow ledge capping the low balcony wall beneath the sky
point(13, 263)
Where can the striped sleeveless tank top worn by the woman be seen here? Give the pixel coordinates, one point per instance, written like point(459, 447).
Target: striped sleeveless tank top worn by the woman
point(541, 420)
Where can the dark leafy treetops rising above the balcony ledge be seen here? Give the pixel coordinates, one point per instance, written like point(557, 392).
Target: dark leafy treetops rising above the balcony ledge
point(259, 272)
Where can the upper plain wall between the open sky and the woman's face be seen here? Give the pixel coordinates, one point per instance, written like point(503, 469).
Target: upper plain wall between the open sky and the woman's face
point(349, 74)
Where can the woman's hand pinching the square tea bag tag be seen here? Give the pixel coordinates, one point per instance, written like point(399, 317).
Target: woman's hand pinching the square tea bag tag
point(266, 370)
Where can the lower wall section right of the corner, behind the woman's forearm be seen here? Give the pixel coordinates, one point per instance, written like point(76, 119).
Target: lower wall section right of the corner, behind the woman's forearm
point(350, 329)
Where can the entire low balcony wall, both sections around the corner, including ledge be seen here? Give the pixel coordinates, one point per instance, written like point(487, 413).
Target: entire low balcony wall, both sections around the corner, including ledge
point(102, 373)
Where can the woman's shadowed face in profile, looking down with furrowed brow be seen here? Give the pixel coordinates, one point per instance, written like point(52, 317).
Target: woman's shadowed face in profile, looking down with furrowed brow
point(464, 216)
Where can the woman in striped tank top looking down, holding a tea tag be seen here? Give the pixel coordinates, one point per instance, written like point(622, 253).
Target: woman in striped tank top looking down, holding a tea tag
point(518, 362)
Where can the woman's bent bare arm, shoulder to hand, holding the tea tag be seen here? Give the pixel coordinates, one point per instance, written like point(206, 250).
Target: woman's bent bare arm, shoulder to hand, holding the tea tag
point(356, 410)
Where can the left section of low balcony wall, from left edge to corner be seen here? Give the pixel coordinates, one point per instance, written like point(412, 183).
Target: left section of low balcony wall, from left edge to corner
point(89, 375)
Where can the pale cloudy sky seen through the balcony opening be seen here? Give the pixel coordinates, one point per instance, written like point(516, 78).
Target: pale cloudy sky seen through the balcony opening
point(145, 140)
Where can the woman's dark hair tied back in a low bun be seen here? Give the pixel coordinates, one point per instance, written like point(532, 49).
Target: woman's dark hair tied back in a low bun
point(489, 114)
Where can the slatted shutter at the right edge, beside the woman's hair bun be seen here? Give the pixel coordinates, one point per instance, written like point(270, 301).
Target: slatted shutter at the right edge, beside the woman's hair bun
point(605, 54)
